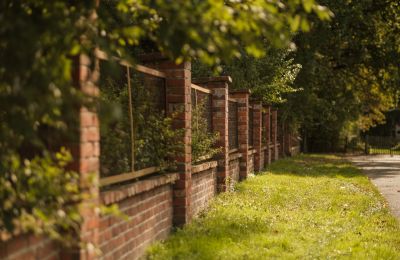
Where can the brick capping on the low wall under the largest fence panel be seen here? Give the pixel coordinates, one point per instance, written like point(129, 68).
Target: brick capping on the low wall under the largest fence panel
point(122, 192)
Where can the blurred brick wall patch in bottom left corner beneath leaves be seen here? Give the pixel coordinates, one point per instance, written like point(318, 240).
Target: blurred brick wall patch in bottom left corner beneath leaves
point(29, 247)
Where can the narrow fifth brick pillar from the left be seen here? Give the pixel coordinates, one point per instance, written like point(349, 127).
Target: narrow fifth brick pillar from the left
point(257, 131)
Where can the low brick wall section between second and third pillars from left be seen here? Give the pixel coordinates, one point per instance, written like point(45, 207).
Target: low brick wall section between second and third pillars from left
point(204, 185)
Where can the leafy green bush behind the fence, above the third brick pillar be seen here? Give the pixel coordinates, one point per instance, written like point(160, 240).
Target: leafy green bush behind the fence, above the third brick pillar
point(269, 78)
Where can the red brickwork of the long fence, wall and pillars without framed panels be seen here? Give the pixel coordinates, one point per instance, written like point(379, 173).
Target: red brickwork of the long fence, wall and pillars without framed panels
point(155, 204)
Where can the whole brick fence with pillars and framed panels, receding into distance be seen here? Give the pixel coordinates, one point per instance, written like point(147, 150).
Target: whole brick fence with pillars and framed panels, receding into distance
point(143, 111)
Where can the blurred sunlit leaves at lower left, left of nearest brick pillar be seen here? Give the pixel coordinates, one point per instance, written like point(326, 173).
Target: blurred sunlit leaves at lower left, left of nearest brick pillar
point(40, 196)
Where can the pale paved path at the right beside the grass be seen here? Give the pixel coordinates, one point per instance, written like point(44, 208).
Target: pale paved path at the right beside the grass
point(384, 172)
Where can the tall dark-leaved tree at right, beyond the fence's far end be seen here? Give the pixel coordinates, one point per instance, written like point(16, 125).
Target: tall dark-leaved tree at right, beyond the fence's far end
point(350, 71)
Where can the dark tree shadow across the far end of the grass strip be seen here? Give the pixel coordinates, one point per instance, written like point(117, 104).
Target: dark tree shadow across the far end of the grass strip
point(315, 166)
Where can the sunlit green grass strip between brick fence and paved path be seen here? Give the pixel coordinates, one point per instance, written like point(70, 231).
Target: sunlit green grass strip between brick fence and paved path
point(309, 206)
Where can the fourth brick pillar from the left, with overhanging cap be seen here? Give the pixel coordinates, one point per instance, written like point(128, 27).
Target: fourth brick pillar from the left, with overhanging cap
point(242, 96)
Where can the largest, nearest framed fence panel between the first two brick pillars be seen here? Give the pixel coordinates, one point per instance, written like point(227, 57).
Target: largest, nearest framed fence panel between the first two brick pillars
point(132, 141)
